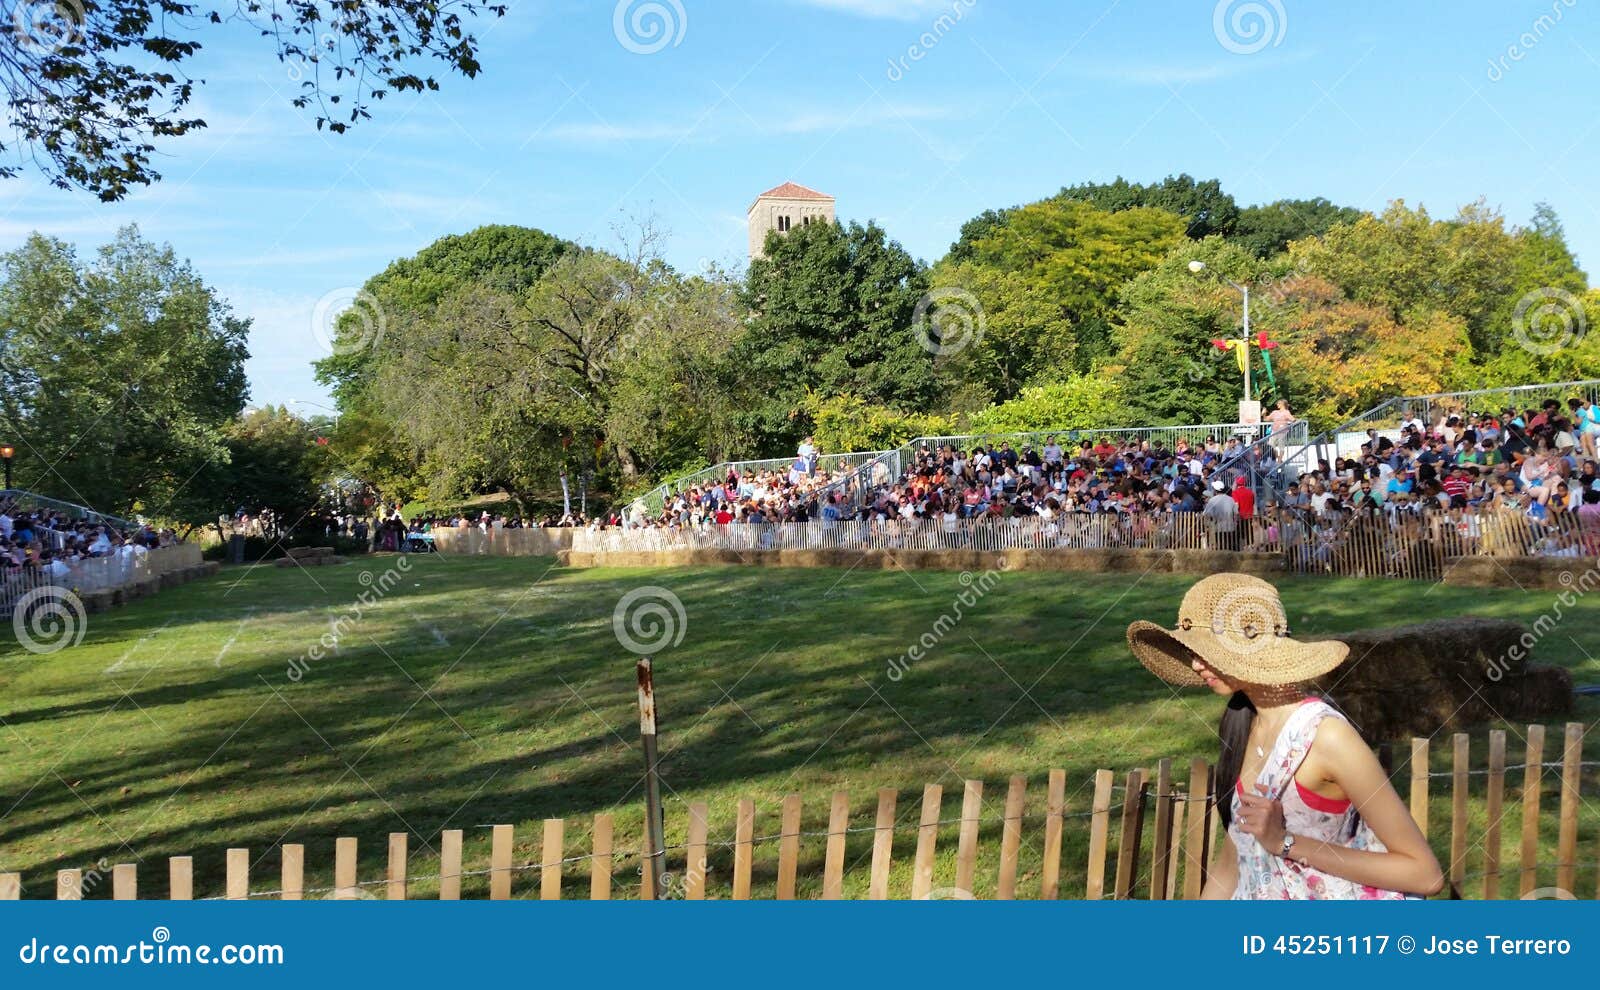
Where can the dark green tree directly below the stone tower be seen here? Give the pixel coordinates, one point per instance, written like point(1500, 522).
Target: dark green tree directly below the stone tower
point(833, 309)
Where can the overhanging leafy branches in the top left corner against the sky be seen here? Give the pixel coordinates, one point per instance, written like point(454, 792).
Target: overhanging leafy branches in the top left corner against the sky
point(94, 82)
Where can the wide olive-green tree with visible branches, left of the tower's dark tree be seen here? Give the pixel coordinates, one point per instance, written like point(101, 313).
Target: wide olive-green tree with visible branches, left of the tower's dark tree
point(604, 364)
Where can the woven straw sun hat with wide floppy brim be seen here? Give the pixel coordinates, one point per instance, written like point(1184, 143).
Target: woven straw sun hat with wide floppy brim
point(1238, 626)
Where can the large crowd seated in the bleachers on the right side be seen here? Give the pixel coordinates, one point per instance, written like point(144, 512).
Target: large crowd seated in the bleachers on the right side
point(1441, 481)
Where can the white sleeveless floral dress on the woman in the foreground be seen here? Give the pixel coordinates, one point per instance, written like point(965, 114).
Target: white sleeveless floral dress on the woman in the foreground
point(1263, 876)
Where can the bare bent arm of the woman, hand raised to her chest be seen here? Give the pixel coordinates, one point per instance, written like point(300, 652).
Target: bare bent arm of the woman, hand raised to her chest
point(1346, 760)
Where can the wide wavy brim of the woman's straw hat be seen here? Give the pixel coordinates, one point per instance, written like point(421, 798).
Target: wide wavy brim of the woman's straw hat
point(1278, 661)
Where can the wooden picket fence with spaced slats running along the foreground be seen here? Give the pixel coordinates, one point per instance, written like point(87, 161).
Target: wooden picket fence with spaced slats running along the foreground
point(1150, 837)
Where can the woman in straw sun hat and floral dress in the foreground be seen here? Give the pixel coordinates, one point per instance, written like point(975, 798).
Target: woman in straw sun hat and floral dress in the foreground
point(1310, 812)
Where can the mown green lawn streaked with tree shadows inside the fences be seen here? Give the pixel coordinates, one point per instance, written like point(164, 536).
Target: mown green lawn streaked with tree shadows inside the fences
point(495, 692)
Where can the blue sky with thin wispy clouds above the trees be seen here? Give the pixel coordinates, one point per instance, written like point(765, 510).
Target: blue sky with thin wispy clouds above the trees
point(577, 126)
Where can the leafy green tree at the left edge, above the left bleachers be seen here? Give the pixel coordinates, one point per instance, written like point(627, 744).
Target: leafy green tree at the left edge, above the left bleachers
point(118, 378)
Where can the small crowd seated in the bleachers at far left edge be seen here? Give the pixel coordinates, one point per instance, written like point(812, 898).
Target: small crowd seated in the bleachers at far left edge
point(55, 543)
